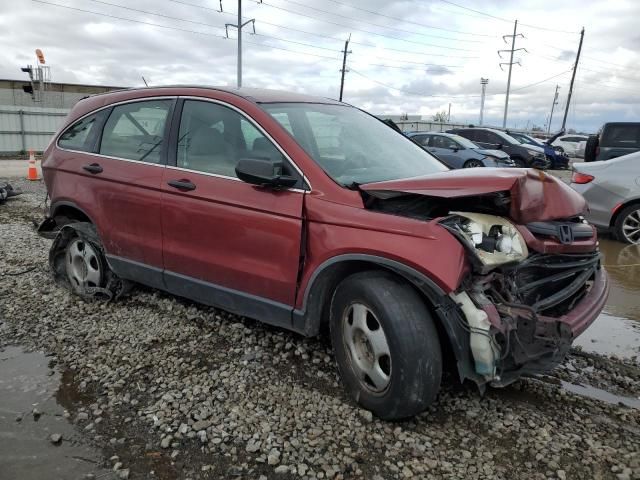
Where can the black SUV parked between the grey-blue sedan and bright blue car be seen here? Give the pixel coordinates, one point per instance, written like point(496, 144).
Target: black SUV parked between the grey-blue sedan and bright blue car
point(490, 139)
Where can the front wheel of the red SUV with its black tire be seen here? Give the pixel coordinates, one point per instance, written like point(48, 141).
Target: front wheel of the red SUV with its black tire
point(414, 361)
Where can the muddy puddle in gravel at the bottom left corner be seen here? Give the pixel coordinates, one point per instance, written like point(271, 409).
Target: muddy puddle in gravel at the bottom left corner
point(26, 382)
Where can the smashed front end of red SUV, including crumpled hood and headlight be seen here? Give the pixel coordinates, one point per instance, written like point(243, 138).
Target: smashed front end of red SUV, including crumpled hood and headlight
point(535, 280)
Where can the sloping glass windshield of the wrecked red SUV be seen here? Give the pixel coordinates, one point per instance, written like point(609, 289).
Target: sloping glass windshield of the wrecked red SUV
point(352, 146)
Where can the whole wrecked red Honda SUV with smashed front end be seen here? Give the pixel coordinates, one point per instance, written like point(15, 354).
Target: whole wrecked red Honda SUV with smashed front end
point(302, 212)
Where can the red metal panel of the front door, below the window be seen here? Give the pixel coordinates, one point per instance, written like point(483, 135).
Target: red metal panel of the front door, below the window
point(233, 234)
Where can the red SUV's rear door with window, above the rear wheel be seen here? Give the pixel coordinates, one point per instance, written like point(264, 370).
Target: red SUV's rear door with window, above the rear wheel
point(118, 183)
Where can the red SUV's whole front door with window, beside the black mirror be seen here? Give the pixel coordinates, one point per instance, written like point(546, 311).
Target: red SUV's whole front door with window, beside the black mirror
point(226, 242)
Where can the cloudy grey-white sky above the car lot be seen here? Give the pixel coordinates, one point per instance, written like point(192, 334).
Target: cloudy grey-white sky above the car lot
point(407, 56)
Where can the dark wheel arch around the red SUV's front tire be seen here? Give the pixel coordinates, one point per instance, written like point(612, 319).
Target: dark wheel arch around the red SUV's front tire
point(319, 300)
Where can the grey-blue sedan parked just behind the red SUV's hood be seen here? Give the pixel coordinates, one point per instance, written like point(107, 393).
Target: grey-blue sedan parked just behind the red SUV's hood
point(458, 152)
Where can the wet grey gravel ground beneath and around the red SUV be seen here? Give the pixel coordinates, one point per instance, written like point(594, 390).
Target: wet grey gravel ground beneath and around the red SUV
point(170, 389)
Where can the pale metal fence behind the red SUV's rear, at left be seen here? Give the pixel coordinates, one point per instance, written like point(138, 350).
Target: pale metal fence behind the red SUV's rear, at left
point(24, 128)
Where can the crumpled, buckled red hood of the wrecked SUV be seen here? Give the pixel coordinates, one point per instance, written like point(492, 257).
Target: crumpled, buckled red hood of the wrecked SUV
point(535, 196)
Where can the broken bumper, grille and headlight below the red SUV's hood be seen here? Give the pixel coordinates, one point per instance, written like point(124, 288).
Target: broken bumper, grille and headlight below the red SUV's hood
point(524, 308)
